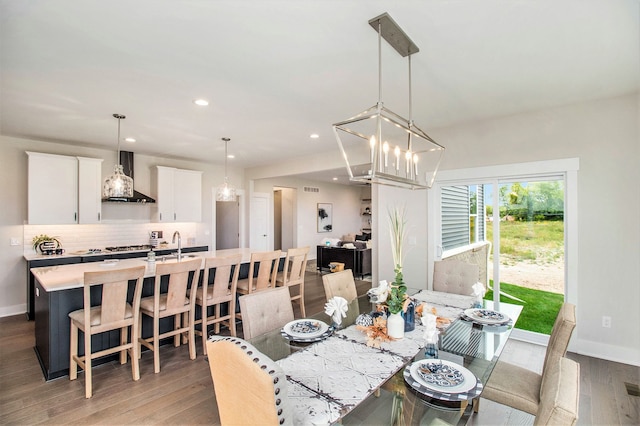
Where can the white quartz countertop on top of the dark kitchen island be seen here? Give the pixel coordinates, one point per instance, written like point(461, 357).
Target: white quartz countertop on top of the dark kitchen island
point(63, 277)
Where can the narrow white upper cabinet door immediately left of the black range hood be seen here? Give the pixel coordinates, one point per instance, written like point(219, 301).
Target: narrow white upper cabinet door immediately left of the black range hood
point(89, 190)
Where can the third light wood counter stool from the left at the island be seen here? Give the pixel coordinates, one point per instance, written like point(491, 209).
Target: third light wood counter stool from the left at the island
point(221, 293)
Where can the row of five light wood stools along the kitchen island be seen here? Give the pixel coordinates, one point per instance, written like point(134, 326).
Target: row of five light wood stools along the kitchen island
point(175, 297)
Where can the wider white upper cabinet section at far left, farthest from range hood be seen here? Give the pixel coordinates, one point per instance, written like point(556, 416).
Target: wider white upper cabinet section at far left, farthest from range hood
point(52, 189)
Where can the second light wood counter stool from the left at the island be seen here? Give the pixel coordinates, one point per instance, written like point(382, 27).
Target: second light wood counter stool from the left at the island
point(178, 302)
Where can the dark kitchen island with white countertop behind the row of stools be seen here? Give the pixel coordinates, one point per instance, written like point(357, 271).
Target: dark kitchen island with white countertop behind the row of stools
point(59, 291)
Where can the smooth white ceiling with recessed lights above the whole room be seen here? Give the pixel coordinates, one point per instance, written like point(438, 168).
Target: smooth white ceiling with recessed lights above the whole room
point(276, 71)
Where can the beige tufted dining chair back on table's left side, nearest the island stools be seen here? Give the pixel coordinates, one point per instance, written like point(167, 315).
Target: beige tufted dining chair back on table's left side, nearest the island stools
point(265, 310)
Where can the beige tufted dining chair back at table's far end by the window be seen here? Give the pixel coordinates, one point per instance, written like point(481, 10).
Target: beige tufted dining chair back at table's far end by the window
point(454, 276)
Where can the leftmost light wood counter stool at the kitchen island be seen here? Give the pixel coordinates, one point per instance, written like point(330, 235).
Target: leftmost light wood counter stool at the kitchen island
point(113, 313)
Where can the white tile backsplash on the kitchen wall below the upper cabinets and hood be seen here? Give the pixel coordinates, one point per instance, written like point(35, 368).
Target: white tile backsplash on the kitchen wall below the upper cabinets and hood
point(81, 237)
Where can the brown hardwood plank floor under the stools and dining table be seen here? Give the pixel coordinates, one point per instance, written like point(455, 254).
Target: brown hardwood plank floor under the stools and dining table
point(182, 393)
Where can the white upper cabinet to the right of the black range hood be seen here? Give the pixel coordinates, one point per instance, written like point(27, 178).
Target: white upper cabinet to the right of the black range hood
point(178, 195)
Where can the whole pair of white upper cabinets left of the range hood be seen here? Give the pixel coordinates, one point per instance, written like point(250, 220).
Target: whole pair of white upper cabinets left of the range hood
point(63, 189)
